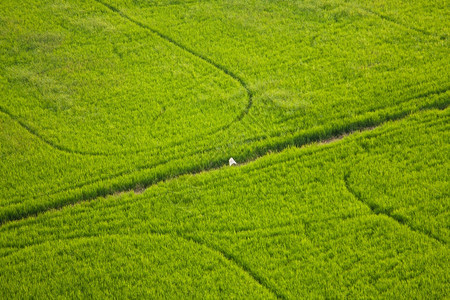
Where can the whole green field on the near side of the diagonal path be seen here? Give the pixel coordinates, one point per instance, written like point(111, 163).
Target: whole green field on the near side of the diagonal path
point(345, 219)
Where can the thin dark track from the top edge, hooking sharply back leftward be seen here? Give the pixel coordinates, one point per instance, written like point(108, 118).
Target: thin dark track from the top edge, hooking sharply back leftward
point(196, 54)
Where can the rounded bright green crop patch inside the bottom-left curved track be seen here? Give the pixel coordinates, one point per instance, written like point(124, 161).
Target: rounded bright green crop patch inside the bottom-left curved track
point(123, 267)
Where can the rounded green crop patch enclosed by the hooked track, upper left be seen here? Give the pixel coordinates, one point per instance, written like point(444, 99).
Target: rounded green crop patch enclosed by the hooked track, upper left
point(100, 84)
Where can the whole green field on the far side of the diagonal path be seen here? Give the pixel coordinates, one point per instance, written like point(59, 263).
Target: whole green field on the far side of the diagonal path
point(106, 96)
